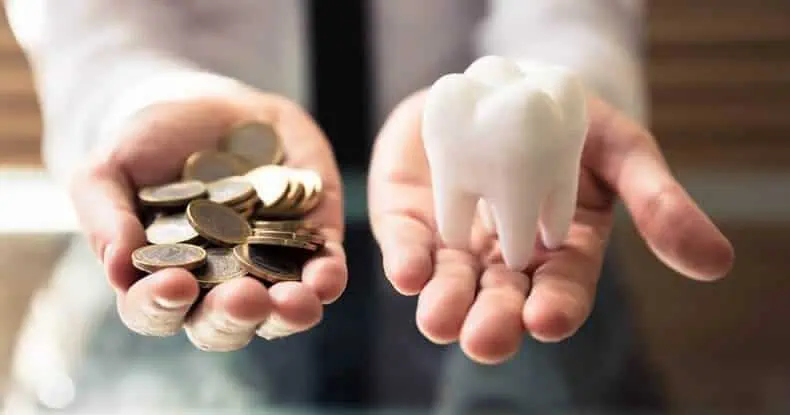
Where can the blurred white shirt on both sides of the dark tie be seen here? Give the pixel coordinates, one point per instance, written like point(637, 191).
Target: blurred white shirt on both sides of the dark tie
point(97, 61)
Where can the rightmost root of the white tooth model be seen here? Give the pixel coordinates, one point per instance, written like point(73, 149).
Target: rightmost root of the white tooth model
point(557, 212)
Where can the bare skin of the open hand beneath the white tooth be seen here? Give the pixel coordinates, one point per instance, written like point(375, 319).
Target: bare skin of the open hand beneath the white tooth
point(470, 297)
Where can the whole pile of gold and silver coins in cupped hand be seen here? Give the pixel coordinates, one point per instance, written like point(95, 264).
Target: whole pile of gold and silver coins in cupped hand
point(235, 211)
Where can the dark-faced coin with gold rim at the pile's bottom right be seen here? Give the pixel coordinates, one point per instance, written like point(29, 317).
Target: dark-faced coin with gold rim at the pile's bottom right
point(269, 267)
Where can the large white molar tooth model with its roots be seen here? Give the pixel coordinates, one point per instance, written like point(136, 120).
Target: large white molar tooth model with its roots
point(508, 135)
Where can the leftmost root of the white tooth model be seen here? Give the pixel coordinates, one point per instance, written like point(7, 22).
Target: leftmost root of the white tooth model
point(454, 212)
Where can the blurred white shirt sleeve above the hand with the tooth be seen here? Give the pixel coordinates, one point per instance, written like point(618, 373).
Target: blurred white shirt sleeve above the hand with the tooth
point(601, 40)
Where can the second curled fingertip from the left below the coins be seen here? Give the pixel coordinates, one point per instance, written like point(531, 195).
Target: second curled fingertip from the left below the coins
point(228, 315)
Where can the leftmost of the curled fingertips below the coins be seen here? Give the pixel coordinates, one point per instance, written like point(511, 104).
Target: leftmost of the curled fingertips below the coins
point(157, 304)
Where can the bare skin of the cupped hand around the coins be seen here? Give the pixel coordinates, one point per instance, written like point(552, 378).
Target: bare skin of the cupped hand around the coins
point(152, 150)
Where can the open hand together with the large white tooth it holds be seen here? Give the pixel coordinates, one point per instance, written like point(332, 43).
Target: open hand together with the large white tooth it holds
point(542, 159)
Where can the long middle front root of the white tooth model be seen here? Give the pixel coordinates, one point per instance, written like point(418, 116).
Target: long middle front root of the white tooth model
point(516, 215)
